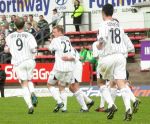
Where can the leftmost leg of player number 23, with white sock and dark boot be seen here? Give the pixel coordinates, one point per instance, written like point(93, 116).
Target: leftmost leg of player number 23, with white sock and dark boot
point(56, 95)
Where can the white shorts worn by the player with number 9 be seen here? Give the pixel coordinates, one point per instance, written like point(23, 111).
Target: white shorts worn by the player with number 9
point(24, 71)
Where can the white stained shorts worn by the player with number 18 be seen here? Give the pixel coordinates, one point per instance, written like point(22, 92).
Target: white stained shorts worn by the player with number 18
point(113, 67)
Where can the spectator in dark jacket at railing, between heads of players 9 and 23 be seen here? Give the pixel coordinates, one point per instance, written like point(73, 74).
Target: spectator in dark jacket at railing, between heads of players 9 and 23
point(44, 27)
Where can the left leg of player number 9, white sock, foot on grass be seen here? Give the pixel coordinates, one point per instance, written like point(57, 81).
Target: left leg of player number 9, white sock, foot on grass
point(27, 96)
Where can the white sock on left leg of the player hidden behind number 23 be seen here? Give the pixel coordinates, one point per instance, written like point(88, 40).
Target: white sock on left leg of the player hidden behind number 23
point(79, 96)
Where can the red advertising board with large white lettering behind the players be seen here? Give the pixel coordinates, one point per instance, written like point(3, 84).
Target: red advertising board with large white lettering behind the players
point(42, 71)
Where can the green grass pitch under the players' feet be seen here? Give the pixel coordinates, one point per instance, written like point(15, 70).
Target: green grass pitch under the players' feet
point(14, 111)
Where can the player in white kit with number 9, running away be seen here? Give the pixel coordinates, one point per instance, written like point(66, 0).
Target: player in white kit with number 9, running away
point(22, 46)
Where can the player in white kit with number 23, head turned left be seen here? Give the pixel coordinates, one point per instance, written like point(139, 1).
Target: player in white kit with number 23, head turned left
point(63, 68)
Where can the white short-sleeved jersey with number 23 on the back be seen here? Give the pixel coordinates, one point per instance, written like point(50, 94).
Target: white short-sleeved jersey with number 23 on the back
point(62, 47)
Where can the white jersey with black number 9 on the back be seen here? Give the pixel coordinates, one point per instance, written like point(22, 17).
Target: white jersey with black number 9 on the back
point(21, 46)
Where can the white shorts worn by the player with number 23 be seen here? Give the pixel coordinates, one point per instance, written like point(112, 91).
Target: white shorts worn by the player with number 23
point(63, 77)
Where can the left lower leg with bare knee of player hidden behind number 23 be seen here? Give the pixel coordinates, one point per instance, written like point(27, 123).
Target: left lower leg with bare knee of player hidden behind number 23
point(79, 96)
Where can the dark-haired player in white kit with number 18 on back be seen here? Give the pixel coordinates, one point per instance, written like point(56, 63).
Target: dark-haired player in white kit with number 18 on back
point(113, 61)
